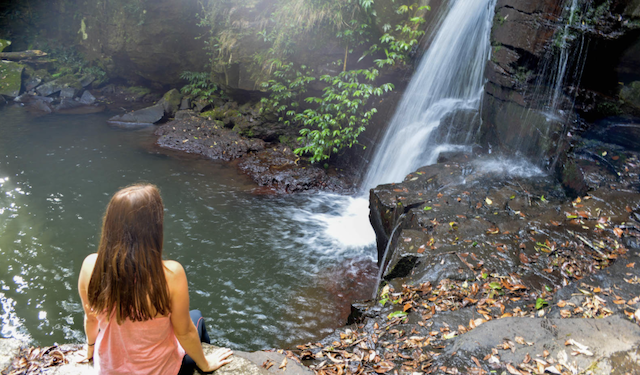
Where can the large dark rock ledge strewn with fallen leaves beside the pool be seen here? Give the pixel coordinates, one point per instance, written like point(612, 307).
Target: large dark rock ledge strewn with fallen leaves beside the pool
point(490, 267)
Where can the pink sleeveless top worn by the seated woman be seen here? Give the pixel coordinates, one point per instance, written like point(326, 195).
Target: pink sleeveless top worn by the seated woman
point(148, 347)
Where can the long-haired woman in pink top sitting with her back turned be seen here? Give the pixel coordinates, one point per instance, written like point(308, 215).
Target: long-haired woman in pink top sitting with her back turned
point(136, 306)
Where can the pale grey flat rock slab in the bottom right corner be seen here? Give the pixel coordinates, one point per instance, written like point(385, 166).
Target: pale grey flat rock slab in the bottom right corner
point(603, 337)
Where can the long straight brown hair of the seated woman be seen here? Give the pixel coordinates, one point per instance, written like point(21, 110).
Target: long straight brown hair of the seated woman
point(128, 277)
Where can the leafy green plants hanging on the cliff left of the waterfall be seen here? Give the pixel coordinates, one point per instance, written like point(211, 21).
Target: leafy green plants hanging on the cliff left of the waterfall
point(333, 120)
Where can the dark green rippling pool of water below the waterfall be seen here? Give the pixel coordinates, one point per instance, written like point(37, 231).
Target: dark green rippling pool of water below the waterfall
point(262, 269)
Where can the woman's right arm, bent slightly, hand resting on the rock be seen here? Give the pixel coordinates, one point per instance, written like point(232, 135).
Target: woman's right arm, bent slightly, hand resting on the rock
point(183, 327)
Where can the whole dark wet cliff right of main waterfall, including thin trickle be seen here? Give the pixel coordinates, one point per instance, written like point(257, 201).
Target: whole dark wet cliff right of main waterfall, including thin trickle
point(550, 61)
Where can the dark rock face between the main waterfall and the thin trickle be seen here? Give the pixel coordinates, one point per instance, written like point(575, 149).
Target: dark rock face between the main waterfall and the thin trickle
point(520, 36)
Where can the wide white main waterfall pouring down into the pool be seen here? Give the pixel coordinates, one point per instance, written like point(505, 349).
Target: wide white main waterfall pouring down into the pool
point(450, 78)
